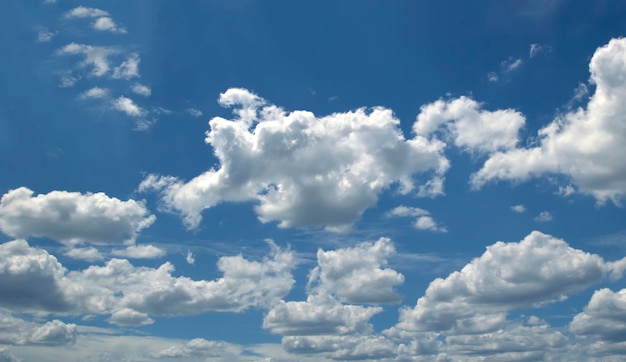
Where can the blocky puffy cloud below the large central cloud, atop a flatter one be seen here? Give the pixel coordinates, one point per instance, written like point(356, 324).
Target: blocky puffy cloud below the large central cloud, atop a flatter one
point(357, 274)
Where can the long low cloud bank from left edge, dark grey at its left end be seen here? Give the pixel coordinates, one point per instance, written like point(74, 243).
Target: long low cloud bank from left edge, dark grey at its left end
point(33, 281)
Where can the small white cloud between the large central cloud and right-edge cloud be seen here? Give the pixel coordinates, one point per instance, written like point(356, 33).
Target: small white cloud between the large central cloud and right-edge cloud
point(471, 128)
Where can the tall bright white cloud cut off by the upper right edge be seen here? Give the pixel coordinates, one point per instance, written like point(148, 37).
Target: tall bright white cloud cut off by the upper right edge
point(584, 145)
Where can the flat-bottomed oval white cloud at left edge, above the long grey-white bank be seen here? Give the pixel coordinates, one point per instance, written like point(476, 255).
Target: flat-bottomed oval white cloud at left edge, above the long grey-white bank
point(71, 217)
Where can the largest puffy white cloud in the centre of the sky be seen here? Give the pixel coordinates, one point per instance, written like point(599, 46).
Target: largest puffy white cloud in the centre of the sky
point(303, 171)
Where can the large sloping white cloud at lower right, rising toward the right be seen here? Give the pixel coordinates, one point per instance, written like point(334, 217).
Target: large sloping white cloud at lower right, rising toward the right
point(537, 270)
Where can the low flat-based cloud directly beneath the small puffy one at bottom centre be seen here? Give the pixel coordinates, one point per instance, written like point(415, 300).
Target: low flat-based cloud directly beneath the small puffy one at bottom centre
point(319, 315)
